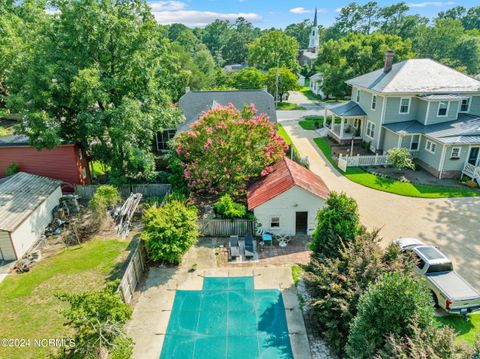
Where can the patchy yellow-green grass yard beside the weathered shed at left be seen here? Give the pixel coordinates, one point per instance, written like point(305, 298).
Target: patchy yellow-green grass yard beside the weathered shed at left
point(28, 307)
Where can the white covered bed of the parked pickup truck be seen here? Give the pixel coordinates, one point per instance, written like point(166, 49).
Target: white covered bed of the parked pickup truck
point(453, 285)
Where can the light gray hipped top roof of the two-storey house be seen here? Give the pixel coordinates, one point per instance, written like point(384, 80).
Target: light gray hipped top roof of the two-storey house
point(417, 76)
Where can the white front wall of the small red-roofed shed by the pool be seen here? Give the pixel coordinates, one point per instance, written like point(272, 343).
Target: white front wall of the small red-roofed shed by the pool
point(284, 206)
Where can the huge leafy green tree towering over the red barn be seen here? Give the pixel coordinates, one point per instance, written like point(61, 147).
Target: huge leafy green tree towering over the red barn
point(101, 76)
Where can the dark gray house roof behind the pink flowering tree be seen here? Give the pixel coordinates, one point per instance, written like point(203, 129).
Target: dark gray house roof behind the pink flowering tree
point(194, 103)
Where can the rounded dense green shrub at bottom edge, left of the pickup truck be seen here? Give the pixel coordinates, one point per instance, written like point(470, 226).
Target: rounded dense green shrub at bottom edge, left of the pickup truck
point(388, 308)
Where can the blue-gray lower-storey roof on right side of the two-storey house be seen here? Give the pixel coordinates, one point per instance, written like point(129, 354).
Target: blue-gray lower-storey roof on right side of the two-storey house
point(464, 131)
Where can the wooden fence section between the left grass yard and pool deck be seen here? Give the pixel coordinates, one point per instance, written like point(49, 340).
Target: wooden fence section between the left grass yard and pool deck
point(133, 273)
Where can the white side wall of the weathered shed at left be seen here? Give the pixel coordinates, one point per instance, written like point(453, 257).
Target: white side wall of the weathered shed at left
point(25, 235)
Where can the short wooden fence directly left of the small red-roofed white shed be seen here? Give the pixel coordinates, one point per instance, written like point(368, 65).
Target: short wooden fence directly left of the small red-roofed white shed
point(226, 227)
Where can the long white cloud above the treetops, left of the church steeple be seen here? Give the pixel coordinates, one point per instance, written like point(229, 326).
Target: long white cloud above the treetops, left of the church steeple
point(199, 18)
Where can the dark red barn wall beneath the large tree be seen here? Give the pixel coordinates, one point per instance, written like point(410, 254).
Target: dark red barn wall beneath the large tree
point(63, 162)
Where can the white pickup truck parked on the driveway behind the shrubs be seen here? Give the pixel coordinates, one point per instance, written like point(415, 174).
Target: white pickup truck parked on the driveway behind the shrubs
point(449, 290)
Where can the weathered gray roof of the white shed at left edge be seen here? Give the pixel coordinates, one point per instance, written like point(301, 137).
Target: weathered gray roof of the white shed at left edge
point(20, 195)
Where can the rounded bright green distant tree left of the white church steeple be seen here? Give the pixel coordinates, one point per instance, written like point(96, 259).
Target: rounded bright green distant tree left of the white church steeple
point(274, 49)
